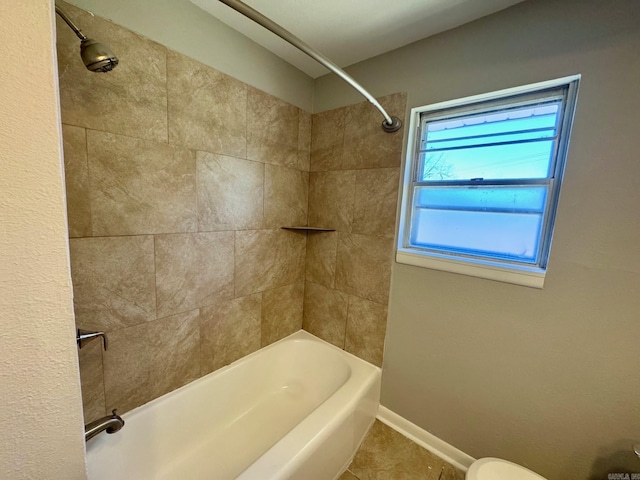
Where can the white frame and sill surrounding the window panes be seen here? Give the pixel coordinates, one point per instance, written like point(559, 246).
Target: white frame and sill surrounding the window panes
point(531, 276)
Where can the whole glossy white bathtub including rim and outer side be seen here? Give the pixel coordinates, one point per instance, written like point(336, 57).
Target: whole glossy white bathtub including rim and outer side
point(297, 409)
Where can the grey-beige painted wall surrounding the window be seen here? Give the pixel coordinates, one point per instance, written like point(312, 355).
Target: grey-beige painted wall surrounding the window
point(547, 378)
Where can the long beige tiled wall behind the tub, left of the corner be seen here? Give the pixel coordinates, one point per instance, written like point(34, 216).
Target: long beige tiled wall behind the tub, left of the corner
point(178, 180)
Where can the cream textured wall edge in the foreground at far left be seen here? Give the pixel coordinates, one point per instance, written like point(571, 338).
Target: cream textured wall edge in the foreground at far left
point(39, 382)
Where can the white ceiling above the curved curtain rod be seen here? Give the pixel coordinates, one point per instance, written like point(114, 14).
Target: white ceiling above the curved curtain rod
point(349, 31)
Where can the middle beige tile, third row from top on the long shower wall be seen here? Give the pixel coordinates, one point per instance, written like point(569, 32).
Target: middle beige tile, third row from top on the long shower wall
point(193, 270)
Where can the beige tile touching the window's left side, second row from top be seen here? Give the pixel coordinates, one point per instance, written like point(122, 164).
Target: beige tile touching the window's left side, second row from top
point(376, 202)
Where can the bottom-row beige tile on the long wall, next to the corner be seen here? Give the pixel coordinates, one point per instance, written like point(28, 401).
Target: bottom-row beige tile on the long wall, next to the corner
point(281, 312)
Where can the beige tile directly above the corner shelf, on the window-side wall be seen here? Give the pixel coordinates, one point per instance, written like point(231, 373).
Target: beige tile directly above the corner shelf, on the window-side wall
point(331, 199)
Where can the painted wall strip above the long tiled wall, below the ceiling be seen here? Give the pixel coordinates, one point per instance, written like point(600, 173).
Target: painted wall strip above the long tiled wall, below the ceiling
point(185, 28)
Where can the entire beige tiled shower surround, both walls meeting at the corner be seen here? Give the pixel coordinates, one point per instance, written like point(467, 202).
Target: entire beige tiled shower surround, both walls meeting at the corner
point(178, 181)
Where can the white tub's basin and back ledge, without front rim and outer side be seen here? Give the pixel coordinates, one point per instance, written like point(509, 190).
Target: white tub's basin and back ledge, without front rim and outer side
point(230, 417)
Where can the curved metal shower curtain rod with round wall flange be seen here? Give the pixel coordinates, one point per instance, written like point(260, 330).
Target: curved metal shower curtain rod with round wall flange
point(390, 124)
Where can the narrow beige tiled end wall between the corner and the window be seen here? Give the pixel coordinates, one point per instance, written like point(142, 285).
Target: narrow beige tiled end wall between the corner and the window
point(353, 188)
